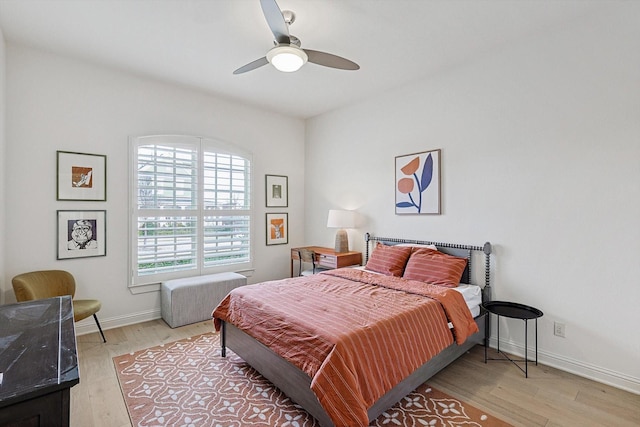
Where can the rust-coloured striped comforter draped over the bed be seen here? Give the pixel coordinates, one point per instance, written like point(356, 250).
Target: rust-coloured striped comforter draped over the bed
point(355, 334)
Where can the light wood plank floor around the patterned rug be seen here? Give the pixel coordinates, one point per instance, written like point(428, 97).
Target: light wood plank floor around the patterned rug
point(549, 397)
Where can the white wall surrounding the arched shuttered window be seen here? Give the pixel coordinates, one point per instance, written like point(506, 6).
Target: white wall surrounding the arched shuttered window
point(55, 103)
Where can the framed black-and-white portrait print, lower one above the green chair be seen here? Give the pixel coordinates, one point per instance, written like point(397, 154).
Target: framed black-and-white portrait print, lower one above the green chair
point(82, 234)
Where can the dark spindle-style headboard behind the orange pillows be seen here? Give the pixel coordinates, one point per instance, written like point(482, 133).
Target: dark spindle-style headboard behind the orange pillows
point(463, 251)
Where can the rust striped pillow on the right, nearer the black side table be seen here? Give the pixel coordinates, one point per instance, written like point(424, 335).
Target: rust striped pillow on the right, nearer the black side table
point(434, 267)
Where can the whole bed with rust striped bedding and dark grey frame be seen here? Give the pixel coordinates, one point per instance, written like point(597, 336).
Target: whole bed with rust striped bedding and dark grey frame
point(369, 338)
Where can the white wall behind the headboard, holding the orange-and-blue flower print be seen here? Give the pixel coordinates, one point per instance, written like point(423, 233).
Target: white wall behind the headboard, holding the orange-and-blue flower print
point(541, 156)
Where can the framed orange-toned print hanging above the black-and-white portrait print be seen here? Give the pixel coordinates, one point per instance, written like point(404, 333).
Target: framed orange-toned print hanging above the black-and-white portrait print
point(81, 176)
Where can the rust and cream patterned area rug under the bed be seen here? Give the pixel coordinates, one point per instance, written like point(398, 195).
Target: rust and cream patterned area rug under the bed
point(188, 384)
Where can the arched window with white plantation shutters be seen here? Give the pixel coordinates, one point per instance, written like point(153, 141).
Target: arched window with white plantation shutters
point(191, 208)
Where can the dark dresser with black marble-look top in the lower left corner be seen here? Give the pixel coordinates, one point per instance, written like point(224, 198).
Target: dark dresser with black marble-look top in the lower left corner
point(38, 362)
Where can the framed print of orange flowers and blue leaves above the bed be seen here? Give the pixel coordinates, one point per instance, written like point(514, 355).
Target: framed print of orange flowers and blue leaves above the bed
point(418, 183)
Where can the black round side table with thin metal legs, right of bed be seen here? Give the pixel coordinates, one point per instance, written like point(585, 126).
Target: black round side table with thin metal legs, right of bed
point(515, 311)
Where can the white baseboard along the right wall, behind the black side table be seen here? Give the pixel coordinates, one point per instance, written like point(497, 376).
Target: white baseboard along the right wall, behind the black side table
point(592, 372)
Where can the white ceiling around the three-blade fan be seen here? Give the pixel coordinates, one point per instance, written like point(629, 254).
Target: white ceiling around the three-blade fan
point(198, 43)
